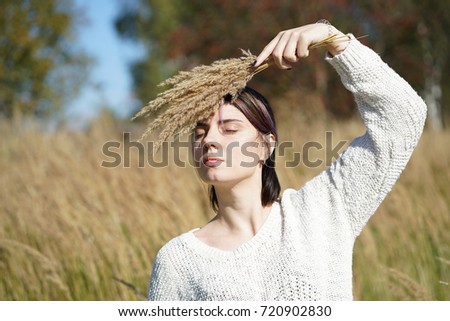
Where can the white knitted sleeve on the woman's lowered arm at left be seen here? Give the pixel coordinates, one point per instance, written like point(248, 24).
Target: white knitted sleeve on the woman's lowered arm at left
point(164, 281)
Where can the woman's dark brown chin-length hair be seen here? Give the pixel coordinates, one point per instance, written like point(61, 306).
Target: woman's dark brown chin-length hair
point(257, 110)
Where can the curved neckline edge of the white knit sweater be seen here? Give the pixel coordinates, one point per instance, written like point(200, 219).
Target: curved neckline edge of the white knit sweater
point(245, 248)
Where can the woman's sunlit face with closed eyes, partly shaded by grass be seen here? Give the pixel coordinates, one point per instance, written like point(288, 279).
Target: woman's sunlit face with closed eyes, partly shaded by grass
point(227, 148)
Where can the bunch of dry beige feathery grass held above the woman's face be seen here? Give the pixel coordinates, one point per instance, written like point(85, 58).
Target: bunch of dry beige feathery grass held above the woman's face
point(196, 94)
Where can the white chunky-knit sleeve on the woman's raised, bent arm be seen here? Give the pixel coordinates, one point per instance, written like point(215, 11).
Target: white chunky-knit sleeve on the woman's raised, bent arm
point(394, 116)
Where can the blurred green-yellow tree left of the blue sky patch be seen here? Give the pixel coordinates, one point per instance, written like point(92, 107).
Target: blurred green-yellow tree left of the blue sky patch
point(40, 68)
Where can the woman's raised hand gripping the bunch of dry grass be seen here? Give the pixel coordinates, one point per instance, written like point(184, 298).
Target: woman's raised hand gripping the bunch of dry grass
point(290, 45)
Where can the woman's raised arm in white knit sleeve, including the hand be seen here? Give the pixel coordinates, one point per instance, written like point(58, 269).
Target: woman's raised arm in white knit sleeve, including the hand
point(392, 112)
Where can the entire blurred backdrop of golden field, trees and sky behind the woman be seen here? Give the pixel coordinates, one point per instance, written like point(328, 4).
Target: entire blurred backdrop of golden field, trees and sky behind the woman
point(73, 72)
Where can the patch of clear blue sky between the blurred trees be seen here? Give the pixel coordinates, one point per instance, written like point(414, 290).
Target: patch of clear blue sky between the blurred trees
point(109, 73)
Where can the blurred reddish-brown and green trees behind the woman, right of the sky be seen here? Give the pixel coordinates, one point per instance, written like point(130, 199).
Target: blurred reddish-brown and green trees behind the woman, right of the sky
point(181, 34)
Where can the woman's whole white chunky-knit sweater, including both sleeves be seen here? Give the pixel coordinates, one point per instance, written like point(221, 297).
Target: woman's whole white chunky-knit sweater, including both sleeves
point(303, 251)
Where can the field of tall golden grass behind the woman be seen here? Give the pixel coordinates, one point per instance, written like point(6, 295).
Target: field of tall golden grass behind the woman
point(74, 230)
